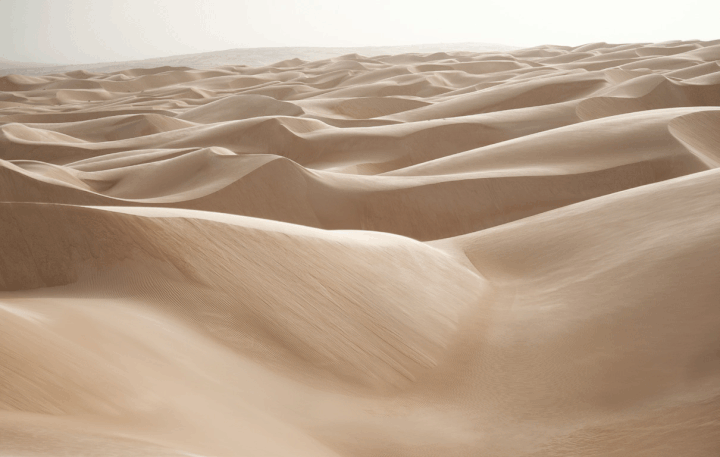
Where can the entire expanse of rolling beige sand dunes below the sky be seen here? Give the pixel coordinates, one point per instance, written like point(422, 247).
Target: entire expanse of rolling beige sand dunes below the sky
point(511, 253)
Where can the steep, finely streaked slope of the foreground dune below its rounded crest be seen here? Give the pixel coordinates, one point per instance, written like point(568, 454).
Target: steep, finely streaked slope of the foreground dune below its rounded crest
point(336, 309)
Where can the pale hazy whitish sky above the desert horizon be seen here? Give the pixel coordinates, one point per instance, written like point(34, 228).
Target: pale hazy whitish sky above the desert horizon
point(86, 31)
